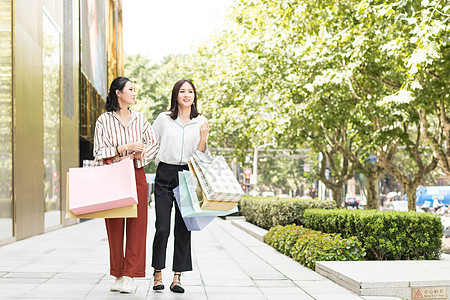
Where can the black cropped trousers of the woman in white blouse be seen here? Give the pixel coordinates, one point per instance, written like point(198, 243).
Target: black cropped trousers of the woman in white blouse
point(166, 180)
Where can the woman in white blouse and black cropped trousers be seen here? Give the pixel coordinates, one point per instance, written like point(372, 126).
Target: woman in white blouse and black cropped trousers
point(180, 132)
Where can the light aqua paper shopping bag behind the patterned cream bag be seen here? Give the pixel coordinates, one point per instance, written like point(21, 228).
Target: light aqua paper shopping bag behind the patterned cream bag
point(188, 202)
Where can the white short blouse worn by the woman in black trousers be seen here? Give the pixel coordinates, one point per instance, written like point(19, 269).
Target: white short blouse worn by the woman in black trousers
point(177, 143)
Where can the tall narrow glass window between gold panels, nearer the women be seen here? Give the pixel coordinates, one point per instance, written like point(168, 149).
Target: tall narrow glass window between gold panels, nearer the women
point(52, 119)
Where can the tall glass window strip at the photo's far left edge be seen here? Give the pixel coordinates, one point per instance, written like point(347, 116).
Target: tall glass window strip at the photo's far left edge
point(6, 203)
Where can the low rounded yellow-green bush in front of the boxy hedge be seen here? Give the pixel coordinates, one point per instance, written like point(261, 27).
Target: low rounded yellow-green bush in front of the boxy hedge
point(308, 246)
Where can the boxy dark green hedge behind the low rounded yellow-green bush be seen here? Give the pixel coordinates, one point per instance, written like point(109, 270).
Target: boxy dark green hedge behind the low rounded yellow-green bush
point(385, 235)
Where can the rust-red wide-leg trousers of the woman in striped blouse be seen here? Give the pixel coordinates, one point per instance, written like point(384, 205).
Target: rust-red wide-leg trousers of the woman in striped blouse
point(131, 264)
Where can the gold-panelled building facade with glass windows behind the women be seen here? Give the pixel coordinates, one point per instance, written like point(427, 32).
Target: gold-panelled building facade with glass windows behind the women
point(57, 58)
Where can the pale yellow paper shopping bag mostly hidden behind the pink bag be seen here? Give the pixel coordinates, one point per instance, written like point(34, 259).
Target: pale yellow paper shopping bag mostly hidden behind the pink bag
point(120, 212)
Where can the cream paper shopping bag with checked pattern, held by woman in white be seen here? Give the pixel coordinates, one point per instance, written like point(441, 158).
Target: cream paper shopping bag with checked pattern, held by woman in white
point(217, 180)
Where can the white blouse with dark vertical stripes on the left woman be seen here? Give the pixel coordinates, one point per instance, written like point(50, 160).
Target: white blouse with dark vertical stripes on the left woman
point(111, 132)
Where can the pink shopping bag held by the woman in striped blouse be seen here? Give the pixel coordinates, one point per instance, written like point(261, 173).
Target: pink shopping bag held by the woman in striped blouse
point(101, 188)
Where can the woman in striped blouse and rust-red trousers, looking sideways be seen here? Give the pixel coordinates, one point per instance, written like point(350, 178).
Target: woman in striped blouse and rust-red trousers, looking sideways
point(123, 133)
